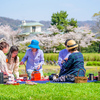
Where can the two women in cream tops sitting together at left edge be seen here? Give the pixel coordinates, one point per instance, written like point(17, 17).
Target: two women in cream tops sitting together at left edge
point(9, 63)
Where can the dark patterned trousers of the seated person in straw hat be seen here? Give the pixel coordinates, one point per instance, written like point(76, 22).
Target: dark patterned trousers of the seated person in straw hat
point(65, 78)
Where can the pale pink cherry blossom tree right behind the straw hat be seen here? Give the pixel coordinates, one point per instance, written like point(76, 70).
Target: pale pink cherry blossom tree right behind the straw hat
point(83, 36)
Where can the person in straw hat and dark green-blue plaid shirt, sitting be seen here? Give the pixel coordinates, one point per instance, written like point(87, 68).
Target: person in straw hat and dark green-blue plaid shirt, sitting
point(74, 63)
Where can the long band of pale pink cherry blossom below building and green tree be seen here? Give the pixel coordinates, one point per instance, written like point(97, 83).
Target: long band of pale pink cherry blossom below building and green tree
point(82, 35)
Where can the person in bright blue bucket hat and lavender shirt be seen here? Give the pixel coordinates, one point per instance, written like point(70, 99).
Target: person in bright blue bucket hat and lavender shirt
point(34, 57)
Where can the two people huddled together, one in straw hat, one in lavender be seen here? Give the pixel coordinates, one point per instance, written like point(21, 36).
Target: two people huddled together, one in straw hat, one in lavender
point(70, 61)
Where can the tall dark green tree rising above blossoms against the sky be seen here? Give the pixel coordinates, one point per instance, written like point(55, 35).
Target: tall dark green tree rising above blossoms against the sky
point(60, 20)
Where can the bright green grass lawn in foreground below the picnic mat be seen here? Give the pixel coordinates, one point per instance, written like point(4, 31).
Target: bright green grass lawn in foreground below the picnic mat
point(51, 91)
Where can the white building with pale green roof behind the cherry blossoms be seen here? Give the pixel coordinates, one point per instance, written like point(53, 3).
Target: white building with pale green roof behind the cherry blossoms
point(29, 29)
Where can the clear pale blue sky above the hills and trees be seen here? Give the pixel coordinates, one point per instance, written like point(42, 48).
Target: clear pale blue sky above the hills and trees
point(37, 10)
